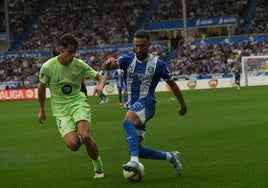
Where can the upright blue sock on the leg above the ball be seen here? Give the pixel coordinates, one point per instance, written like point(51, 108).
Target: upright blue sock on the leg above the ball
point(131, 137)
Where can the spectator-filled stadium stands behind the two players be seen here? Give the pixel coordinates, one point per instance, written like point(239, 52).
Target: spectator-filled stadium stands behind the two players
point(198, 38)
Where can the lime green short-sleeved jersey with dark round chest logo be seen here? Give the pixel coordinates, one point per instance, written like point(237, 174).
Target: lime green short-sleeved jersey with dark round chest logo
point(64, 82)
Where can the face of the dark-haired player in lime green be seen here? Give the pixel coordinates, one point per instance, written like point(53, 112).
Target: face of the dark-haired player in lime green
point(67, 54)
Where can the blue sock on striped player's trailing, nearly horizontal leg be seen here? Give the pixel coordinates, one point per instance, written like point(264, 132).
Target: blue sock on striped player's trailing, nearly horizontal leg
point(149, 153)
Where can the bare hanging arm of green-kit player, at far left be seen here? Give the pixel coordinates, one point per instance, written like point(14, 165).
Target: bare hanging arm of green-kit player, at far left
point(41, 98)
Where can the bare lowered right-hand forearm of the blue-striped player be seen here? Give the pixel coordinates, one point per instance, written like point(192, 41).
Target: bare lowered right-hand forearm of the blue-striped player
point(177, 92)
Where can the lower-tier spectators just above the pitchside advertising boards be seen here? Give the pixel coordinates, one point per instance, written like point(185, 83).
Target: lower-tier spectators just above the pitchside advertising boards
point(199, 59)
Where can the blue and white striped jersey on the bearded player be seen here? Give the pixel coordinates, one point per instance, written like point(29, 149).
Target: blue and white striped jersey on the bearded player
point(142, 78)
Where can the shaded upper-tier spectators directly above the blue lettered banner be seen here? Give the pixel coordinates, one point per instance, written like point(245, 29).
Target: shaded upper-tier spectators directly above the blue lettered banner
point(172, 9)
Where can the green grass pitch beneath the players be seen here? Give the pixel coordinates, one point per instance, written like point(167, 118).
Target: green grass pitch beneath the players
point(223, 141)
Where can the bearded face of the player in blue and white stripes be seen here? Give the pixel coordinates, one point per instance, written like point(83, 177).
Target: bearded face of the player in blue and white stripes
point(141, 46)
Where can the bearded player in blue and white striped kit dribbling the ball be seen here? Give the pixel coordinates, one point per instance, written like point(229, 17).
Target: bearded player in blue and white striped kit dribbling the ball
point(142, 72)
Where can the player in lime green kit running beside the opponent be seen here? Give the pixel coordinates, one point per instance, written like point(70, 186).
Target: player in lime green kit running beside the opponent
point(63, 75)
